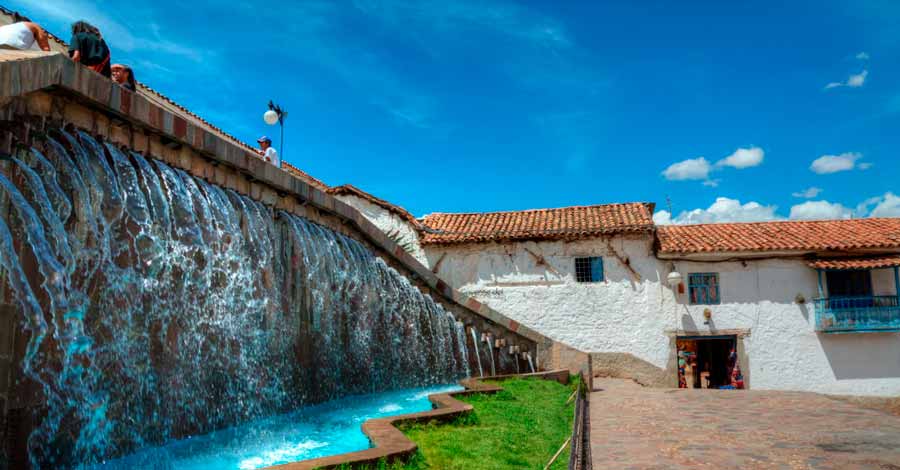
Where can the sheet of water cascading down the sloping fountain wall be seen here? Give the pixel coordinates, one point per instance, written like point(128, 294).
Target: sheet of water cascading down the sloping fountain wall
point(156, 305)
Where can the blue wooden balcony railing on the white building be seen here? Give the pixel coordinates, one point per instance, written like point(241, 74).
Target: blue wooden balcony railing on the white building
point(864, 314)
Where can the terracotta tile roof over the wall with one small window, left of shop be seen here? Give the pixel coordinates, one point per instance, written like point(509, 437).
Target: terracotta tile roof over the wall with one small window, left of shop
point(567, 223)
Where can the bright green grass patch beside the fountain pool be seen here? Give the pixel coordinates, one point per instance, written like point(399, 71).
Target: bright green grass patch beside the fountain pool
point(519, 427)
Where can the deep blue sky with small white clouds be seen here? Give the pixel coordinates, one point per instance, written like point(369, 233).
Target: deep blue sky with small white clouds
point(727, 110)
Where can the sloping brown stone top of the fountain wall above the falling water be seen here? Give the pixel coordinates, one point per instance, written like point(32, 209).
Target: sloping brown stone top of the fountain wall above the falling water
point(40, 91)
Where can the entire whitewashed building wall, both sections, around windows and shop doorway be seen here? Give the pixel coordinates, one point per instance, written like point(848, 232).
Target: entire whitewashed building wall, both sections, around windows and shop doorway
point(624, 314)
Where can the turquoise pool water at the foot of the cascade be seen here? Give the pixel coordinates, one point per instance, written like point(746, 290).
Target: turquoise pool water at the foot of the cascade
point(327, 429)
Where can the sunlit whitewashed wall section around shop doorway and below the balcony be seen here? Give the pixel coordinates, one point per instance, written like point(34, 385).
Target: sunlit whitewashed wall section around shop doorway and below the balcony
point(784, 350)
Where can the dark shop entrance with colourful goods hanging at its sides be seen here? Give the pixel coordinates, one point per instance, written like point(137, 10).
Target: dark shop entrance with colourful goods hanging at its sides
point(708, 362)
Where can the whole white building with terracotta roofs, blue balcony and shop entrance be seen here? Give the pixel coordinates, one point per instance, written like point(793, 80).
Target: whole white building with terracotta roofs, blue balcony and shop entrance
point(804, 305)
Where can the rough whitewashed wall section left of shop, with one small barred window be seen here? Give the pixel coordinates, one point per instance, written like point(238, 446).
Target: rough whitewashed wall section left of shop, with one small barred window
point(593, 317)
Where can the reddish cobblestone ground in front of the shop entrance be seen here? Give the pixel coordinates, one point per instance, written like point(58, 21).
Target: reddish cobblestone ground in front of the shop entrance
point(636, 427)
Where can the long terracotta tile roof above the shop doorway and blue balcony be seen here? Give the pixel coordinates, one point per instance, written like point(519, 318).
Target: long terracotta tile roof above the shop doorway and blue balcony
point(820, 235)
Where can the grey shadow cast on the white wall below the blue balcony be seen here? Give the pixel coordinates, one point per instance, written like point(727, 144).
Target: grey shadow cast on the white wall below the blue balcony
point(862, 356)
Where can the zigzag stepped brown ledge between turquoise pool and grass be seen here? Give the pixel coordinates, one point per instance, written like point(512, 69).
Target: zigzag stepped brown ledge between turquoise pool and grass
point(391, 444)
